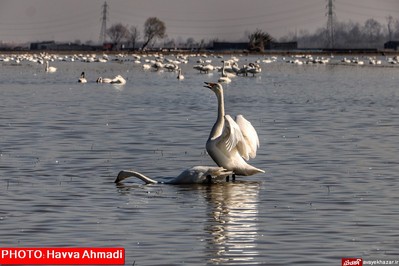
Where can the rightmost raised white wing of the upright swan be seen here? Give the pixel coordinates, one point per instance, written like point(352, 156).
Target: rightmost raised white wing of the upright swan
point(250, 136)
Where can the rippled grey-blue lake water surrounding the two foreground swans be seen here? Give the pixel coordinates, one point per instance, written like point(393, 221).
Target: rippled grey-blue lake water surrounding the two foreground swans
point(329, 139)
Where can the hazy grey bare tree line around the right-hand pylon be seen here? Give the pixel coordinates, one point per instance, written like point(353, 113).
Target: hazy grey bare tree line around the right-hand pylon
point(370, 34)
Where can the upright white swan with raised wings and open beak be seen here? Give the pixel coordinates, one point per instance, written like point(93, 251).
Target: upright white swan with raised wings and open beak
point(230, 142)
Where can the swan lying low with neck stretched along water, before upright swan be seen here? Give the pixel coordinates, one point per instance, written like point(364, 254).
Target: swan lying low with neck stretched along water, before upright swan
point(193, 175)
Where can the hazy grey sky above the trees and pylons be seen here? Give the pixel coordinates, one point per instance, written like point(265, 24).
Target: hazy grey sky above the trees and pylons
point(70, 20)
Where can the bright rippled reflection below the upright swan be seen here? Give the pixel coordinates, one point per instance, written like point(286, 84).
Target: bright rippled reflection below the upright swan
point(232, 222)
